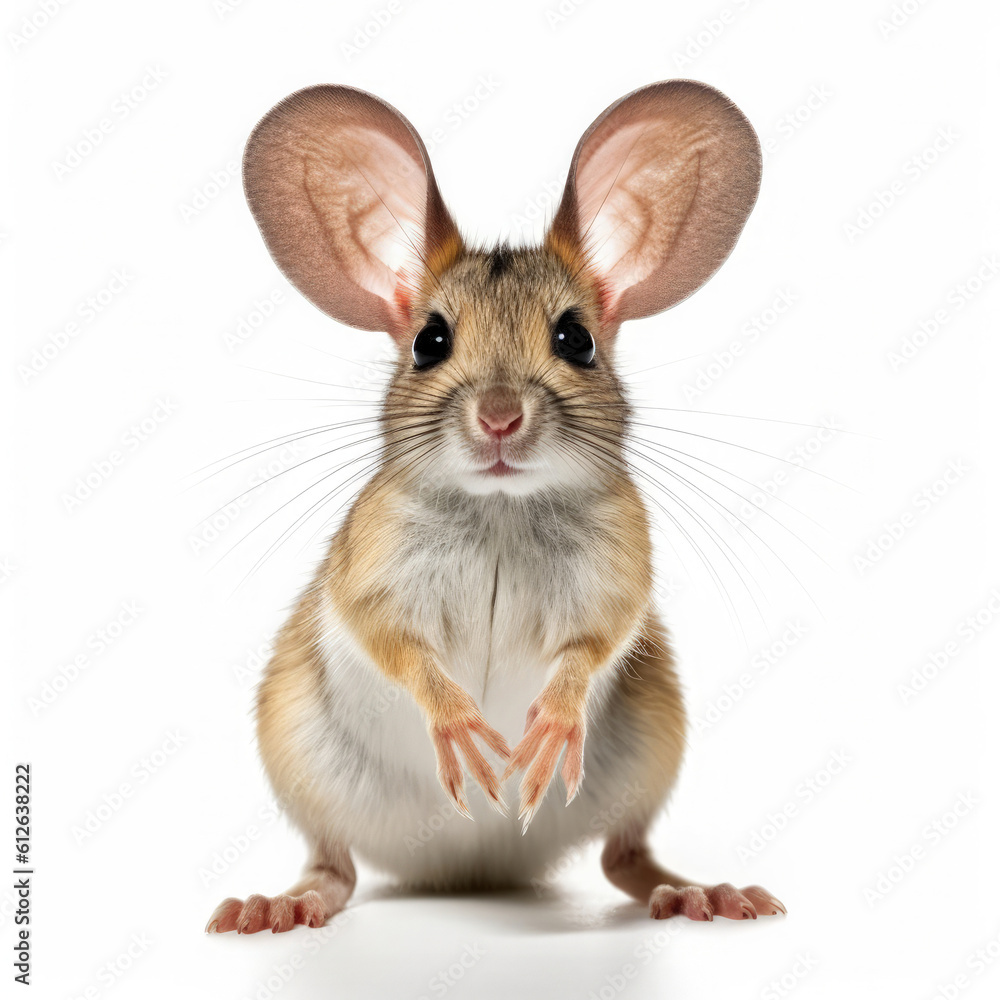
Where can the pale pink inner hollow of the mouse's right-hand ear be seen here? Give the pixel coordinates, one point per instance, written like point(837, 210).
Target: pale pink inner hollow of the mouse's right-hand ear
point(624, 232)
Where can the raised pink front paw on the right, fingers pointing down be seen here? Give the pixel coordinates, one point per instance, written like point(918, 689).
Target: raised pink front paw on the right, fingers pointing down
point(550, 726)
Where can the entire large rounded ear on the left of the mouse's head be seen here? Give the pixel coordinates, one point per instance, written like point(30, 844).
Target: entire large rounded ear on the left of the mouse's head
point(342, 189)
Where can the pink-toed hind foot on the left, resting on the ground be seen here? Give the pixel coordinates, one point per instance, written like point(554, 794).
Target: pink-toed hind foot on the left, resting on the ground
point(322, 891)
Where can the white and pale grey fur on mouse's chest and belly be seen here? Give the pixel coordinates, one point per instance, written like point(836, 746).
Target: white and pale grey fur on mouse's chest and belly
point(369, 747)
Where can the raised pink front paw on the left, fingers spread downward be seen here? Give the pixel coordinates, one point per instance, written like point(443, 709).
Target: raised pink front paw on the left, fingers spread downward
point(457, 728)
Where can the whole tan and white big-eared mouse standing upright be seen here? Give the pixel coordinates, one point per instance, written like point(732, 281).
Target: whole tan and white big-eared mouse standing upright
point(486, 604)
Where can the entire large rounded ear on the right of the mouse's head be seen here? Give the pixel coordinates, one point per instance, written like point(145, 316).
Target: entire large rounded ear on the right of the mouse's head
point(658, 191)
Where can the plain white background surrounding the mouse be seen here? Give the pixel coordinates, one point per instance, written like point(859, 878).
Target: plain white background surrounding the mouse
point(160, 699)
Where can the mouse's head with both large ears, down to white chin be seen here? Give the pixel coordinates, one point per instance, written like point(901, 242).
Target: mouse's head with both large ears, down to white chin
point(505, 380)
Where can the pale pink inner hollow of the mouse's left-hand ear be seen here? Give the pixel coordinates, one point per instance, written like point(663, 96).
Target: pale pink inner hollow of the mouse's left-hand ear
point(377, 193)
